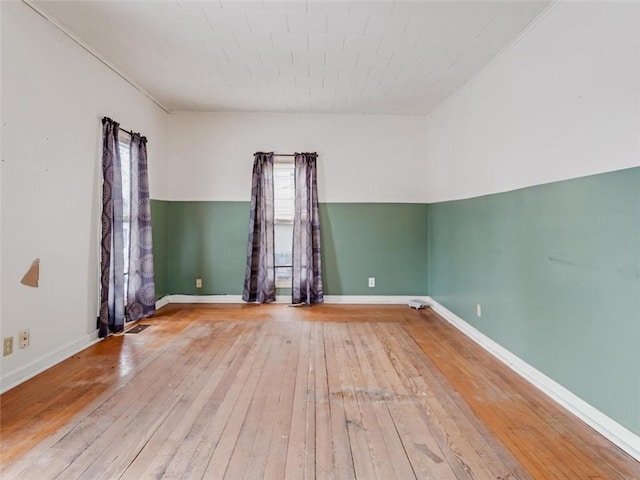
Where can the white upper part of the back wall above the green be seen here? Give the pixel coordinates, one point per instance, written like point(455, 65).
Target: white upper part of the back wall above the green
point(361, 158)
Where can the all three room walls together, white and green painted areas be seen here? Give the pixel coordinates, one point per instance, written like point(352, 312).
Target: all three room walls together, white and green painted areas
point(520, 194)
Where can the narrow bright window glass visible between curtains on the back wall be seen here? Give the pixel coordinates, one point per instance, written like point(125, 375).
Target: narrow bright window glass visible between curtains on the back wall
point(283, 204)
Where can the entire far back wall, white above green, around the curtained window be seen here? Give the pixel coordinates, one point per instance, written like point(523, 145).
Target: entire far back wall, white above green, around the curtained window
point(371, 192)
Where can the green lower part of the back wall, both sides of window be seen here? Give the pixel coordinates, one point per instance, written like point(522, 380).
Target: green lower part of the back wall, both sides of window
point(208, 240)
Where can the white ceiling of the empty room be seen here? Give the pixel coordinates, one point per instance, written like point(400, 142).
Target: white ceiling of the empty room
point(392, 57)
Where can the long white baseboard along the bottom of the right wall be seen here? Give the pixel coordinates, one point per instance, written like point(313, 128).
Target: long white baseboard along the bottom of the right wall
point(609, 428)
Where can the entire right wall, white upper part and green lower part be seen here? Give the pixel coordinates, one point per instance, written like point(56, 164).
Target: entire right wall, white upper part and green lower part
point(553, 260)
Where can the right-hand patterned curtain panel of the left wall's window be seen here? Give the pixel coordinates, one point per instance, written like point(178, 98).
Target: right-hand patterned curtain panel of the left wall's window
point(141, 292)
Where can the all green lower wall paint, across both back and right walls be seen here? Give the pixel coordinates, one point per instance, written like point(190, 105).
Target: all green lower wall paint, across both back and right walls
point(556, 269)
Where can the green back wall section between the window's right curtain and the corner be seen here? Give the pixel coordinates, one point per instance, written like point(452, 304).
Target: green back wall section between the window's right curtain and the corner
point(382, 240)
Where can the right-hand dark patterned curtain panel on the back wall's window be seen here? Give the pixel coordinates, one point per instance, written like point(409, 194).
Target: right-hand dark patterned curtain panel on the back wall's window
point(307, 269)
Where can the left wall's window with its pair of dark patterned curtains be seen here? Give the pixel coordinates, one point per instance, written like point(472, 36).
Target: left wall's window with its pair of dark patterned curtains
point(127, 286)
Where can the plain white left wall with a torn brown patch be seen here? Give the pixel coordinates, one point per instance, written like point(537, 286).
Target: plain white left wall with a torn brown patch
point(54, 94)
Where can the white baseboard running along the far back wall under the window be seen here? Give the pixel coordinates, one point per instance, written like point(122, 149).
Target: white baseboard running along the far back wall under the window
point(329, 299)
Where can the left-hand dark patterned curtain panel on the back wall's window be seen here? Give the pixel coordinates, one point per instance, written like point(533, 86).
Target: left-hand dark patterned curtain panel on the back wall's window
point(260, 278)
